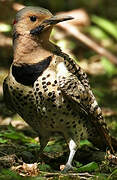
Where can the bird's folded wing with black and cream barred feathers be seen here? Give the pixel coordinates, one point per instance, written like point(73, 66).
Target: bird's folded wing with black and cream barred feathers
point(76, 87)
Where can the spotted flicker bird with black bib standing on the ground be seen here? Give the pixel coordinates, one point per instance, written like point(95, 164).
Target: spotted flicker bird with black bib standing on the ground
point(48, 89)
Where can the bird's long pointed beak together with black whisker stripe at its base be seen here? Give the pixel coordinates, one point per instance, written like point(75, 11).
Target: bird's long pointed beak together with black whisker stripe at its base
point(50, 22)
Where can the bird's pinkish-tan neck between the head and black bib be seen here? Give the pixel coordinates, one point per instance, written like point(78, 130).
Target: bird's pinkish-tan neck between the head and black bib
point(31, 49)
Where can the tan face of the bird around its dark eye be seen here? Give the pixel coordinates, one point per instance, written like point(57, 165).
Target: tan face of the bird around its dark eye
point(29, 21)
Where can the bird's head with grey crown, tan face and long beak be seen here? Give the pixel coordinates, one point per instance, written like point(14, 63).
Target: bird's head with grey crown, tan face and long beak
point(35, 20)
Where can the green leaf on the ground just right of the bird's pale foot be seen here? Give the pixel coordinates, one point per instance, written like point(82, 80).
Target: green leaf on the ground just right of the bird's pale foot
point(90, 167)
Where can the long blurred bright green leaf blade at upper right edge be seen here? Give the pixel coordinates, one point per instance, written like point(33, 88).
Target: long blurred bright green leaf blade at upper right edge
point(107, 25)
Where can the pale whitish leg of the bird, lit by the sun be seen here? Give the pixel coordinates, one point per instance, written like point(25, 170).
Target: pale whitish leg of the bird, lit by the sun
point(73, 148)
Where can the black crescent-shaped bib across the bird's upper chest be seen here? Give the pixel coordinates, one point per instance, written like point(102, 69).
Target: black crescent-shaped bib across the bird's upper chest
point(27, 74)
